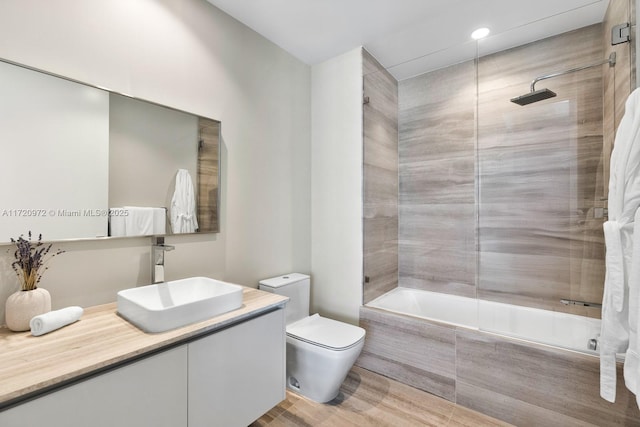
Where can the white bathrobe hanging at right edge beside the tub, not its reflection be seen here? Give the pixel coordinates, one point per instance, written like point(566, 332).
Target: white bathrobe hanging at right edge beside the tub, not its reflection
point(621, 299)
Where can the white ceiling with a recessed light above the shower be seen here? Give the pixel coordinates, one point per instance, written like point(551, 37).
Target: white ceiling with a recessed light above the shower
point(409, 37)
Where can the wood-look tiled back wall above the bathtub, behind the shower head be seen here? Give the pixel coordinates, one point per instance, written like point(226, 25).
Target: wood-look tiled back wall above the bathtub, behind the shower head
point(498, 200)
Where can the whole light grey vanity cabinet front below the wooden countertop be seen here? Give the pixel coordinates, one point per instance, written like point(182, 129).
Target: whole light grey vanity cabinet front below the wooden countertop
point(228, 378)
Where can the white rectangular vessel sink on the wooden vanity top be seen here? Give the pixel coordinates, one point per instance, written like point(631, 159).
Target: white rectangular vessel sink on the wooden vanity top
point(170, 305)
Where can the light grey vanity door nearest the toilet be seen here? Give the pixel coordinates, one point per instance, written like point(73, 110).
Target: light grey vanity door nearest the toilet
point(238, 374)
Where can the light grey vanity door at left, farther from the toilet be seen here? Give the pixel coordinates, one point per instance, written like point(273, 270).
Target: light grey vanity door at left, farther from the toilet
point(151, 392)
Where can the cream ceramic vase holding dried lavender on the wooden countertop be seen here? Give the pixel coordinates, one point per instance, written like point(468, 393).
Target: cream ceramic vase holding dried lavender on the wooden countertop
point(22, 306)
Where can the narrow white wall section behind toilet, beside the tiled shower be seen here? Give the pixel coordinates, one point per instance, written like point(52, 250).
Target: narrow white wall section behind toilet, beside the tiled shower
point(336, 186)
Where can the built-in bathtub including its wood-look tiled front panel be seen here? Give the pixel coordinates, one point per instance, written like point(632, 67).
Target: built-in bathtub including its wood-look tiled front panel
point(526, 366)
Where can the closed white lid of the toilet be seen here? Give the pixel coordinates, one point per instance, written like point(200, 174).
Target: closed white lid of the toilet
point(325, 332)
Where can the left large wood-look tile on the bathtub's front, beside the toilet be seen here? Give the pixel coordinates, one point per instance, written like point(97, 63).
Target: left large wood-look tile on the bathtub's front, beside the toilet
point(420, 354)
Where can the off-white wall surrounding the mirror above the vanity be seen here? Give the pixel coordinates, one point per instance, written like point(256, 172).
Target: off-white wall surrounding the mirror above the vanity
point(189, 55)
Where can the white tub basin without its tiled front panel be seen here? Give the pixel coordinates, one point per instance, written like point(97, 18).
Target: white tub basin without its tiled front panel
point(563, 330)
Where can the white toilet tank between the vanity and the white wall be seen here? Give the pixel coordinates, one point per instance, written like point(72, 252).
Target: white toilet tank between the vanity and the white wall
point(296, 286)
